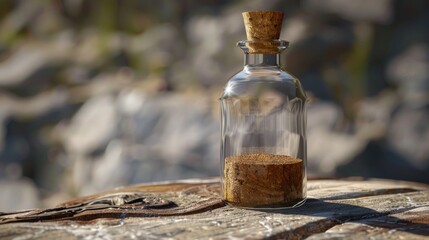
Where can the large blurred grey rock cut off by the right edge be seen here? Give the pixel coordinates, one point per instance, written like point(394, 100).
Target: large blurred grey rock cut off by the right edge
point(408, 132)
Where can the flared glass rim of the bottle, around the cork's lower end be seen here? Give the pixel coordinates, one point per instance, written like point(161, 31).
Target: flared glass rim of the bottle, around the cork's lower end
point(263, 46)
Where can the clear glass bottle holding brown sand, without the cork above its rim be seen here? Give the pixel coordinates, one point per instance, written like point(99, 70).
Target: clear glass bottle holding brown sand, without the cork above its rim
point(263, 132)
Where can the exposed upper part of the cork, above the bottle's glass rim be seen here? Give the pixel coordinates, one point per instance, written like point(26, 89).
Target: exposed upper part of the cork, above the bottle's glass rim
point(263, 25)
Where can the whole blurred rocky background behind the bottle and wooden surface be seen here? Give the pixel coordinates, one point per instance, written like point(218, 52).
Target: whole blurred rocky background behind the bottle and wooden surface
point(98, 94)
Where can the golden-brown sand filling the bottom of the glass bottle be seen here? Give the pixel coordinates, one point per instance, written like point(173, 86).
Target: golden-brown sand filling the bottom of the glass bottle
point(263, 180)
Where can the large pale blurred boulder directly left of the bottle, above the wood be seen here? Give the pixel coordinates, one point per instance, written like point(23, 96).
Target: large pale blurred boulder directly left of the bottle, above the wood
point(158, 138)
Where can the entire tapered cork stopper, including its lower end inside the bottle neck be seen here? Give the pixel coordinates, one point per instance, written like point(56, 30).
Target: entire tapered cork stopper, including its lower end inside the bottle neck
point(262, 29)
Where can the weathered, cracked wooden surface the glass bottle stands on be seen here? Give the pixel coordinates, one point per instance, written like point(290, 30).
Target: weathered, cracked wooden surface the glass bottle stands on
point(349, 209)
